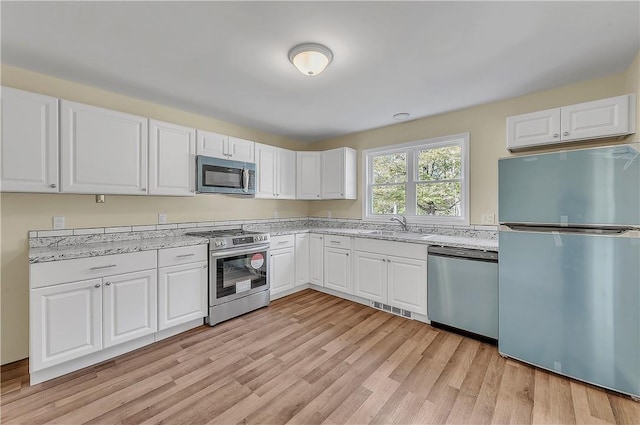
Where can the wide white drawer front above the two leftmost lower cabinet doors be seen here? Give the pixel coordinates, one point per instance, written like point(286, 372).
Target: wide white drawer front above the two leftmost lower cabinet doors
point(56, 272)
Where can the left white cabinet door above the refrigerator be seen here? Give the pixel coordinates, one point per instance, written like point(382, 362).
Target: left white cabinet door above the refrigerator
point(536, 128)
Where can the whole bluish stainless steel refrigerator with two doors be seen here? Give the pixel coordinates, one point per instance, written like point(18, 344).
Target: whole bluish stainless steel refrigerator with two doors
point(569, 270)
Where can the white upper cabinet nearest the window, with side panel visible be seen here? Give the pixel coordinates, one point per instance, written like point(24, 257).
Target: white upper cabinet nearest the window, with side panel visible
point(339, 174)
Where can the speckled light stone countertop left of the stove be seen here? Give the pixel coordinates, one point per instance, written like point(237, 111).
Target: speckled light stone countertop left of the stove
point(45, 254)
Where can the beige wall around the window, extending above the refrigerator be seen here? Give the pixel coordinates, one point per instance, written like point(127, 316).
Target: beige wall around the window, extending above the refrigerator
point(486, 125)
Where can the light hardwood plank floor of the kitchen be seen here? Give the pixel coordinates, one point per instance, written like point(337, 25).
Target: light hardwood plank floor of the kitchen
point(311, 358)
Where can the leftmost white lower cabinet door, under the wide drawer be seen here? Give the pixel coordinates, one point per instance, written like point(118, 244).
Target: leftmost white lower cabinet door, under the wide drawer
point(65, 322)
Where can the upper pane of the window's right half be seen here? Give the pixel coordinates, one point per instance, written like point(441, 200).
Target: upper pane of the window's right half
point(439, 164)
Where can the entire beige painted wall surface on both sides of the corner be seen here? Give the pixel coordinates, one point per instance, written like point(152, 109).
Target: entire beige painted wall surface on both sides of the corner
point(23, 212)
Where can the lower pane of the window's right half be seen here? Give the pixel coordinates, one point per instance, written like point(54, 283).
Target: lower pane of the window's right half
point(440, 199)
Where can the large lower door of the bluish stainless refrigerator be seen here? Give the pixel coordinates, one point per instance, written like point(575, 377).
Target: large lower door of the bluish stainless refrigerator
point(571, 304)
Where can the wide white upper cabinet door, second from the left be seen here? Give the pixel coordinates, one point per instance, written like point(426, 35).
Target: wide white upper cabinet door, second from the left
point(102, 151)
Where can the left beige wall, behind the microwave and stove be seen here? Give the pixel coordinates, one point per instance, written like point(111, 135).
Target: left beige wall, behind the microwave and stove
point(22, 212)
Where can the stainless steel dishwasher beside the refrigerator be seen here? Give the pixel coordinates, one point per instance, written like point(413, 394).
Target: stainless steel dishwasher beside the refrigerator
point(462, 290)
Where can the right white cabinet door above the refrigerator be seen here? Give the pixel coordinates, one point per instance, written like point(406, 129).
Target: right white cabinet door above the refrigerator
point(600, 118)
